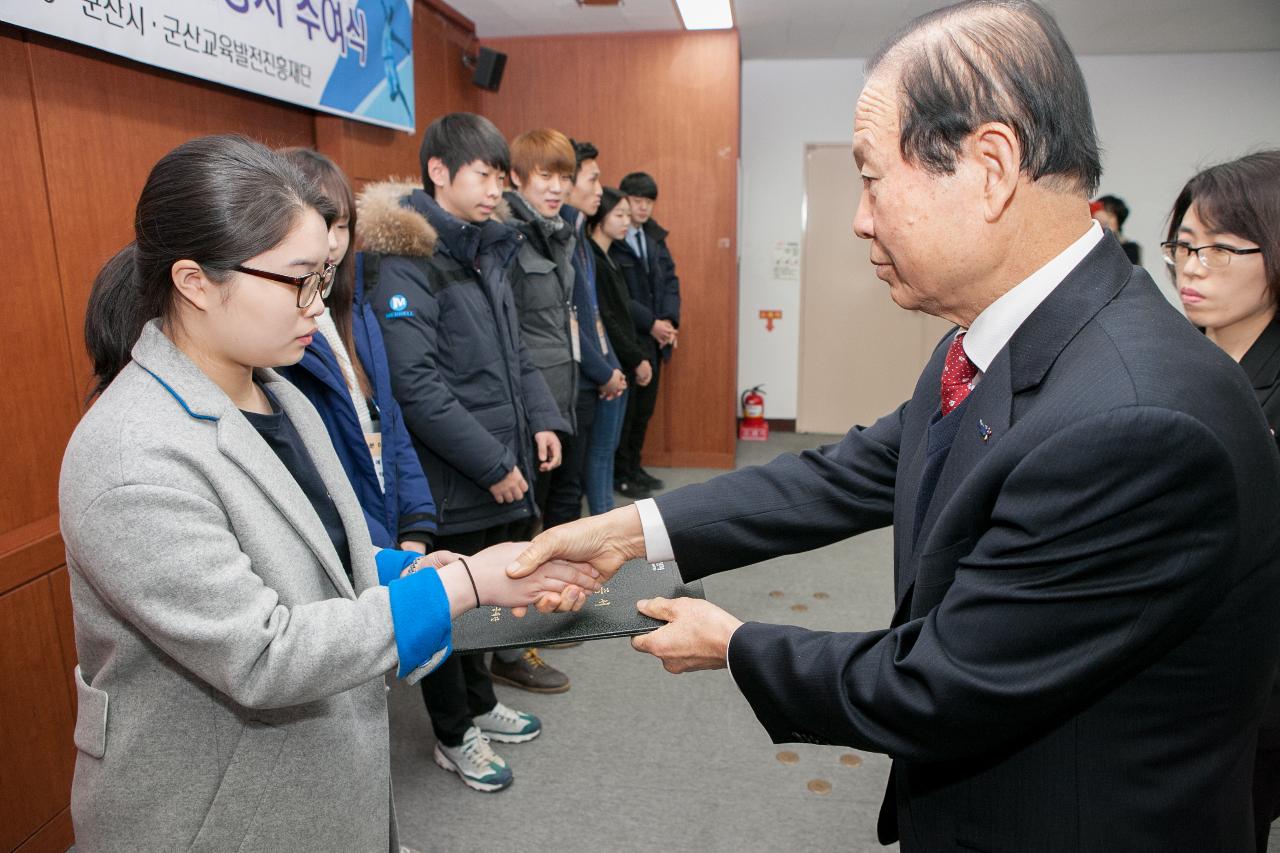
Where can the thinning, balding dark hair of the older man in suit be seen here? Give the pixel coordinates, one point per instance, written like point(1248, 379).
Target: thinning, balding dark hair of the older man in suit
point(994, 61)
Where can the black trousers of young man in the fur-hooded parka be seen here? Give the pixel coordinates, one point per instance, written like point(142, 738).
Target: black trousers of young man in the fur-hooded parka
point(461, 688)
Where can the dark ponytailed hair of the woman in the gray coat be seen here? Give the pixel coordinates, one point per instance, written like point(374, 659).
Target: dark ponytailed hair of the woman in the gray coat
point(216, 200)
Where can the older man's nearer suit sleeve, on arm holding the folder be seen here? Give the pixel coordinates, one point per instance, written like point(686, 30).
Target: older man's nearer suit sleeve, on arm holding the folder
point(1105, 549)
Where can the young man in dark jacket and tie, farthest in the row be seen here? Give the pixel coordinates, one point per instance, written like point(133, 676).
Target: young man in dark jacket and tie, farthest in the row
point(651, 275)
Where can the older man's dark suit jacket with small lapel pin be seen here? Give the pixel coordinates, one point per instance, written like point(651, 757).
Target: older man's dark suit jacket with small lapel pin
point(1084, 638)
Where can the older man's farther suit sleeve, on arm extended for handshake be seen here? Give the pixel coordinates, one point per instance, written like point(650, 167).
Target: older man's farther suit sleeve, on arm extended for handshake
point(793, 504)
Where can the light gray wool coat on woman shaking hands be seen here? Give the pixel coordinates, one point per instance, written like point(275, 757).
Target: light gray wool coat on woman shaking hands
point(231, 679)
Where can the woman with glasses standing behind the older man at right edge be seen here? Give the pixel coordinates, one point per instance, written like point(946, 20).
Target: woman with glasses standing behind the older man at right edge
point(1224, 254)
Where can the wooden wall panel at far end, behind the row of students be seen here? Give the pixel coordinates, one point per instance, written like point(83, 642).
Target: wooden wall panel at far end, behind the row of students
point(668, 104)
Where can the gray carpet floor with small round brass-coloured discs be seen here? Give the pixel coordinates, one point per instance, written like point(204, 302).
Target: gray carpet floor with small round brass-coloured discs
point(636, 759)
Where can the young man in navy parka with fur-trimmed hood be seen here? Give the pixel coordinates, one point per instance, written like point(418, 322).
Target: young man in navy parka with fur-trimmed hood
point(436, 266)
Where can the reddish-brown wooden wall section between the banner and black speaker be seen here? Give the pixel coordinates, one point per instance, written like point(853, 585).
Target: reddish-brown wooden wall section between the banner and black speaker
point(442, 85)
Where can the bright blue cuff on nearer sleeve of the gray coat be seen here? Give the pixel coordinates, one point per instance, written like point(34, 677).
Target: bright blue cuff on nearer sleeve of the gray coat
point(420, 617)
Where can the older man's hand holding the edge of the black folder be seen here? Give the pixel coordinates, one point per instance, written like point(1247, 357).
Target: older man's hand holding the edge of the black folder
point(694, 638)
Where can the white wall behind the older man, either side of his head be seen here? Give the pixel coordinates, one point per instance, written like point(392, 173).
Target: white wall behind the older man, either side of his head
point(1160, 120)
